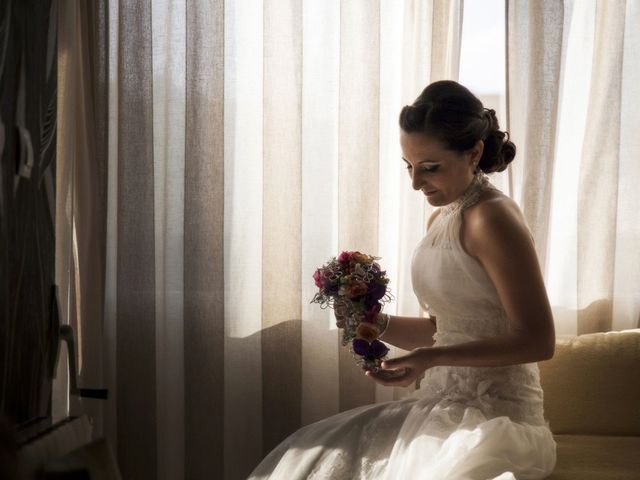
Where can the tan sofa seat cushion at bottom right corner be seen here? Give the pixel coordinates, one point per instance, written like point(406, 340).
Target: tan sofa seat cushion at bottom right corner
point(596, 457)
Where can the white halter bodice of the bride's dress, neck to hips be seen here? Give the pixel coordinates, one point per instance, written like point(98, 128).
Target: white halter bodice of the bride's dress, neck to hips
point(455, 288)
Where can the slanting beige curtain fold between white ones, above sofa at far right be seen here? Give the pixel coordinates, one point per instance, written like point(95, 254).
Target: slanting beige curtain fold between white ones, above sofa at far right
point(599, 168)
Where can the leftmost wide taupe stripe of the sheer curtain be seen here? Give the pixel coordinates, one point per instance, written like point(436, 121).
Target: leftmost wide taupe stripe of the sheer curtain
point(136, 286)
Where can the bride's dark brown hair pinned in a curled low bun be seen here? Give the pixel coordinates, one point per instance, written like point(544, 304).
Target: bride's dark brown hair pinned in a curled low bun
point(453, 115)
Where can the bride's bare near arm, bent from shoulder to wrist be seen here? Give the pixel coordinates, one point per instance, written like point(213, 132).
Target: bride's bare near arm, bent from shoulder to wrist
point(496, 235)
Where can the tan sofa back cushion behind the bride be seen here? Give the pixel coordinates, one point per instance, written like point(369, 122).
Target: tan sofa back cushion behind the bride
point(592, 384)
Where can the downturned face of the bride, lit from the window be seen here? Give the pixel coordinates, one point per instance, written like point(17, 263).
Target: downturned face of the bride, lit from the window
point(441, 174)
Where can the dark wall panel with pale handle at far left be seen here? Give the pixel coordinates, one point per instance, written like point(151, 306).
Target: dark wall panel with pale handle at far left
point(28, 330)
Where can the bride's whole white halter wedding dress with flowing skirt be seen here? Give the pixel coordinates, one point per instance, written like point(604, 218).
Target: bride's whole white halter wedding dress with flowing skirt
point(463, 423)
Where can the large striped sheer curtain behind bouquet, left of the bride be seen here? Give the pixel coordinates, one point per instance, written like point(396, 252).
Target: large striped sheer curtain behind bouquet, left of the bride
point(248, 142)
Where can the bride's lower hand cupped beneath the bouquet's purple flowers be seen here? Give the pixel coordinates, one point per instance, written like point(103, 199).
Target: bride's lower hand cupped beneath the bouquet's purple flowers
point(403, 371)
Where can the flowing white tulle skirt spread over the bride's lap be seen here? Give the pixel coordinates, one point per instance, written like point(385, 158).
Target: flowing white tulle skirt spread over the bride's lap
point(423, 436)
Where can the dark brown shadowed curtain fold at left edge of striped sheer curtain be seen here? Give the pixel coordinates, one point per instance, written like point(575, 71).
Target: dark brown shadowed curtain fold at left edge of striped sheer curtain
point(90, 198)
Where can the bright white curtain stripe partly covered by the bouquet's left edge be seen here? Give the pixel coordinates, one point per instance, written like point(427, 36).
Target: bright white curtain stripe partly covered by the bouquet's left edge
point(319, 206)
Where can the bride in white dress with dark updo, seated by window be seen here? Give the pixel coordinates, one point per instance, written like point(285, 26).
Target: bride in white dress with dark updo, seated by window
point(478, 413)
